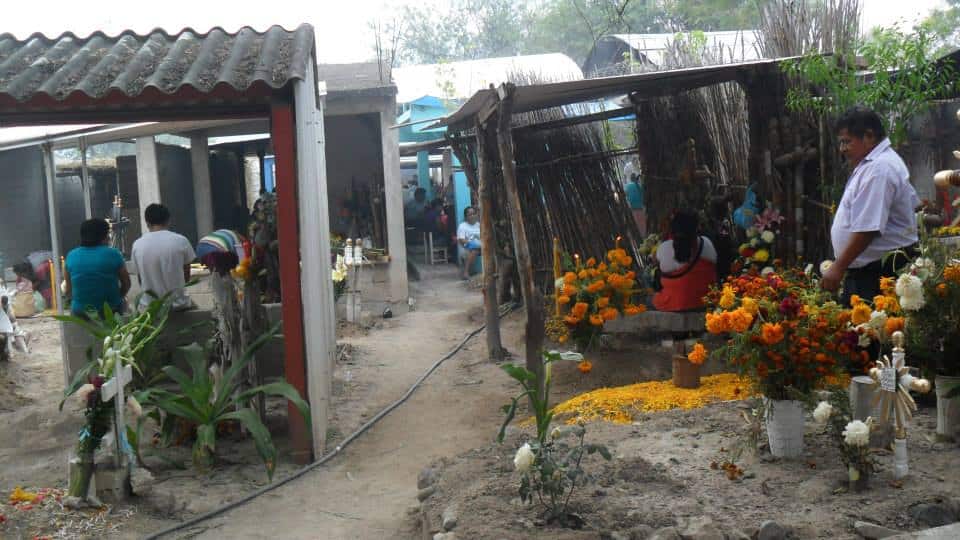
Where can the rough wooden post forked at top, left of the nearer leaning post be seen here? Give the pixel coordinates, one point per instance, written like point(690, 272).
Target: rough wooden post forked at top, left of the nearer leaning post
point(488, 241)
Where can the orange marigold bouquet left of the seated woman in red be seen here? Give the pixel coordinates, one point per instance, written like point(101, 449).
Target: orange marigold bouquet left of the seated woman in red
point(591, 293)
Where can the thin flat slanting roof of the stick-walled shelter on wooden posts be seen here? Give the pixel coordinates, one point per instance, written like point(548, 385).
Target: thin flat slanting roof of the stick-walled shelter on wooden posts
point(649, 84)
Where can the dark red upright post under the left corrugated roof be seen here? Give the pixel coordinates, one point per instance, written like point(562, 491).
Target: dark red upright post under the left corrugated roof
point(283, 136)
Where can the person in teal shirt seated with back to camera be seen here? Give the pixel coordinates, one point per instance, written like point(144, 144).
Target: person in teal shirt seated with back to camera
point(96, 274)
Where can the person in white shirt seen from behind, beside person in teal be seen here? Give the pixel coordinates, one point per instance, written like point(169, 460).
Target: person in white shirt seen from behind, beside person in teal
point(162, 259)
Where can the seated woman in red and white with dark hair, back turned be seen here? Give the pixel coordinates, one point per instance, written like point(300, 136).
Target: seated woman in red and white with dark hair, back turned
point(687, 266)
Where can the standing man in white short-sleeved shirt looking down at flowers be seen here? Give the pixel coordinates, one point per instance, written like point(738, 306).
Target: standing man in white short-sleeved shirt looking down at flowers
point(877, 214)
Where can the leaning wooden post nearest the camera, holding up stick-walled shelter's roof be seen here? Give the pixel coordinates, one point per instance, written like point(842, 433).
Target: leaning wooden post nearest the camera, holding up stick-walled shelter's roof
point(531, 296)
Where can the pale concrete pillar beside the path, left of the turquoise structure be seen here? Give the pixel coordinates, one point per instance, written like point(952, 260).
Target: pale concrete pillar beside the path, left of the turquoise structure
point(393, 199)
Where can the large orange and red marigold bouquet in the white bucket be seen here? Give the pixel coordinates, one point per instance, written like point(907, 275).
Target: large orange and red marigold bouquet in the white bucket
point(783, 331)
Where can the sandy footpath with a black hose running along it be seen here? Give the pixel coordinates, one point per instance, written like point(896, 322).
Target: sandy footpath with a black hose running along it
point(366, 491)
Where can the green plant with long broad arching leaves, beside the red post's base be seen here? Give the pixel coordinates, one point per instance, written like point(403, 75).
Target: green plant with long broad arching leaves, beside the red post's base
point(211, 398)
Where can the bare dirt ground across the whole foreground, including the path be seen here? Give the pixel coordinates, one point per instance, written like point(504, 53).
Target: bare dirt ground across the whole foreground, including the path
point(660, 475)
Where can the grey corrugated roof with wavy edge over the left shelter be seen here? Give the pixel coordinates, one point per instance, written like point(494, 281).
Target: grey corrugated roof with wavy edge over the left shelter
point(40, 70)
